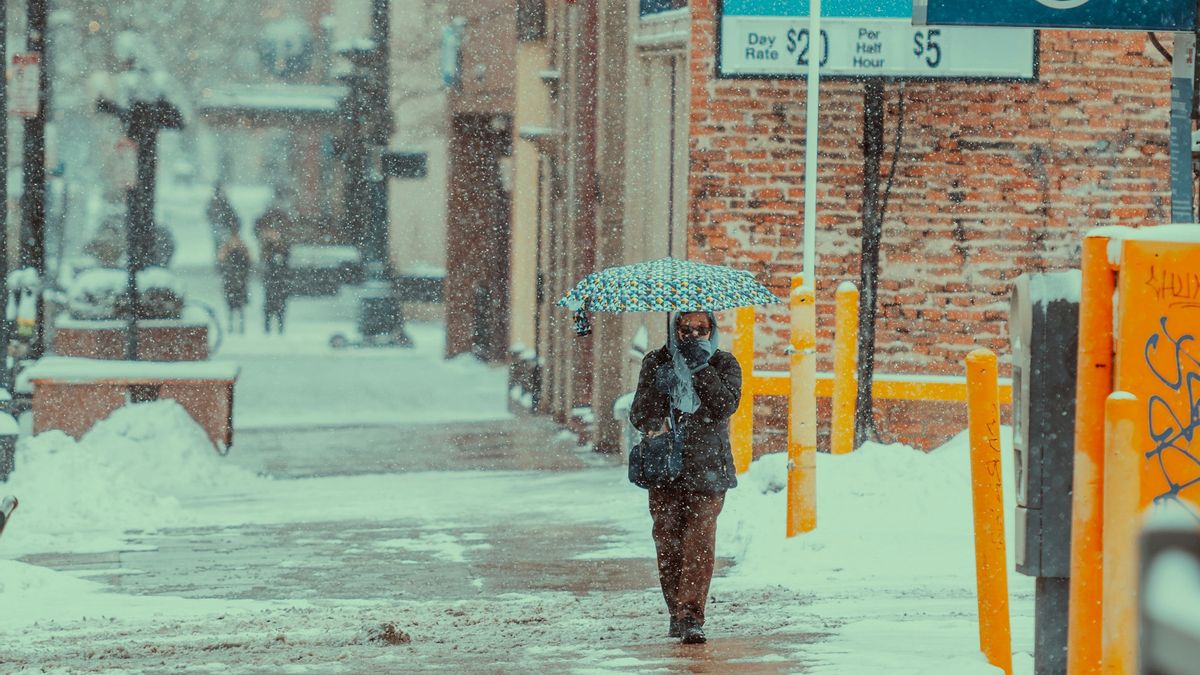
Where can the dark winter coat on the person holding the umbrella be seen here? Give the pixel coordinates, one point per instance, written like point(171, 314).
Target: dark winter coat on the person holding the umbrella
point(707, 453)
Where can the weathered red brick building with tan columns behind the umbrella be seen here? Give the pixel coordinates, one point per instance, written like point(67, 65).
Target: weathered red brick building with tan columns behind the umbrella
point(646, 152)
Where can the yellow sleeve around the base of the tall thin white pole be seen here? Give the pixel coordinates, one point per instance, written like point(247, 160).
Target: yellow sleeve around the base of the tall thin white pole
point(802, 420)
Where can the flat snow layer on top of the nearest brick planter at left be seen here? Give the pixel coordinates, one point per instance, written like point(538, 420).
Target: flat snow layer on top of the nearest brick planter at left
point(68, 369)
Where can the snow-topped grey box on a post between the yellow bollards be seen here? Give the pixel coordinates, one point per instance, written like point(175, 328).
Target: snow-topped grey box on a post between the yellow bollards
point(1045, 334)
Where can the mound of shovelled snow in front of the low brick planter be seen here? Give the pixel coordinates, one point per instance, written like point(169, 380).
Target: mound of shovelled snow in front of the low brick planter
point(128, 473)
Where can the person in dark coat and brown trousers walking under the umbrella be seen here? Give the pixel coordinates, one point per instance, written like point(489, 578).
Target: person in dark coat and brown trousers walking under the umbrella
point(700, 389)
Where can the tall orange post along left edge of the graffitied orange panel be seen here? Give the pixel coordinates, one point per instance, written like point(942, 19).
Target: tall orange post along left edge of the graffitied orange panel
point(1094, 384)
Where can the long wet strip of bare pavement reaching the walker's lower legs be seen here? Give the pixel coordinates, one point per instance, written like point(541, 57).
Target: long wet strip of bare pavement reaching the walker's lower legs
point(391, 560)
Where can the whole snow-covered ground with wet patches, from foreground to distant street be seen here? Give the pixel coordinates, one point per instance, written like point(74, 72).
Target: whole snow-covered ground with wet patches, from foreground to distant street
point(382, 511)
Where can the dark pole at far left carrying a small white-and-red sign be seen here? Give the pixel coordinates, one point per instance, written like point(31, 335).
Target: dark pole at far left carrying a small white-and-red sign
point(33, 243)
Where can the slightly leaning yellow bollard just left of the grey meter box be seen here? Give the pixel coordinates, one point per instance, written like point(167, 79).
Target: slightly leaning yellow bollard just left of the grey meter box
point(988, 505)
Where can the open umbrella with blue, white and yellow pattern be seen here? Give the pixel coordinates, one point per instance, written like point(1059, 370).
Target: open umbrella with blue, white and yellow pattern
point(667, 285)
